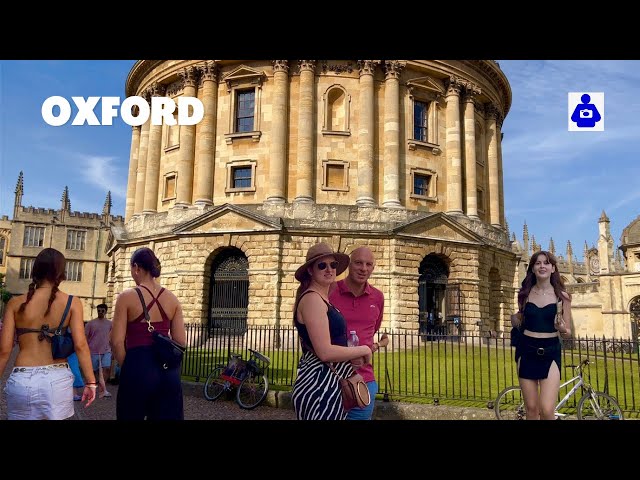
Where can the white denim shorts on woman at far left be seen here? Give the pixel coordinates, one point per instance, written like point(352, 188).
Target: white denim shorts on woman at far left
point(40, 393)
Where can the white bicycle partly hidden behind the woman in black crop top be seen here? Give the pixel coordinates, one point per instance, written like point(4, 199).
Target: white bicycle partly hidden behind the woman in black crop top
point(593, 405)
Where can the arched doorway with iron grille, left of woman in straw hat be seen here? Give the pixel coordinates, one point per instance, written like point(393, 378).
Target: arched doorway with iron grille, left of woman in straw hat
point(229, 291)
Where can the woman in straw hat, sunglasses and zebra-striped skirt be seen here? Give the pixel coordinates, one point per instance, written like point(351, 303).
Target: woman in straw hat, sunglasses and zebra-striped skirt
point(323, 334)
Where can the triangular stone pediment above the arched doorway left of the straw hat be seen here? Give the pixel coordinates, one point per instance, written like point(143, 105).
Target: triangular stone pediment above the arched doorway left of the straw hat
point(229, 218)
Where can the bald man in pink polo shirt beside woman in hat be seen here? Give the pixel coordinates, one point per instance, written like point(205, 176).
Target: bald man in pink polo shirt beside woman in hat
point(362, 305)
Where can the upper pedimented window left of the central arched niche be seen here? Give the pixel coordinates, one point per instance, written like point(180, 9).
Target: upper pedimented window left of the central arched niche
point(244, 85)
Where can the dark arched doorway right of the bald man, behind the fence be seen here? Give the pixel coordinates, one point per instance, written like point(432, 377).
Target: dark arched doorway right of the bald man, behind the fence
point(432, 284)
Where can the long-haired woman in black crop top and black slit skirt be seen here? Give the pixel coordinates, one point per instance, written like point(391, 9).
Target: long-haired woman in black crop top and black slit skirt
point(538, 354)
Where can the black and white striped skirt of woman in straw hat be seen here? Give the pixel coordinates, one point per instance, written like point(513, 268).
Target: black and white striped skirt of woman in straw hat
point(316, 391)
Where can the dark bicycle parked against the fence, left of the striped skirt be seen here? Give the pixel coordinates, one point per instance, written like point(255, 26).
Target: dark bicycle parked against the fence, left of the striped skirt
point(247, 376)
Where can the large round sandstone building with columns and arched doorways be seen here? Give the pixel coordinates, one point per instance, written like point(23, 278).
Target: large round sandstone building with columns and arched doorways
point(403, 156)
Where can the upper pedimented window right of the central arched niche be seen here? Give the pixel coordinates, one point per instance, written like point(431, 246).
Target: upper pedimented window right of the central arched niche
point(422, 113)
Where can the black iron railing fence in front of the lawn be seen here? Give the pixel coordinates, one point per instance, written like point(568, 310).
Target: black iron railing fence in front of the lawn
point(423, 367)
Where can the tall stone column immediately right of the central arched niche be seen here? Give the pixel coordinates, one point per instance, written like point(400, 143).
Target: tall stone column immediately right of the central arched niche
point(366, 133)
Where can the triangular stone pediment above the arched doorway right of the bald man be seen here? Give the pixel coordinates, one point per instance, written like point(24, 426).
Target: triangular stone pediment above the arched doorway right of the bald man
point(438, 226)
